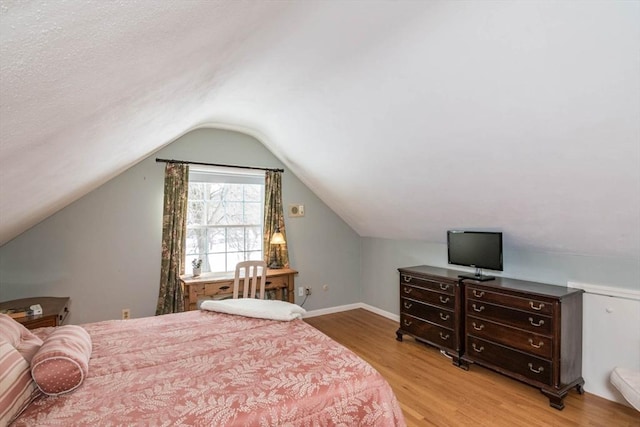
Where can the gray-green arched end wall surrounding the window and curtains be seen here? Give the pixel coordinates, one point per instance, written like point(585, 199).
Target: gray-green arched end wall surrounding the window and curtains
point(103, 251)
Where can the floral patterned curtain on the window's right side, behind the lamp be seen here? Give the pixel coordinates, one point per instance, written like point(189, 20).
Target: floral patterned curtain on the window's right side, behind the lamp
point(274, 219)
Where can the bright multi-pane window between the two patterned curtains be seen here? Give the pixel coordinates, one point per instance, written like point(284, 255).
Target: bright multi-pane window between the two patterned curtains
point(224, 218)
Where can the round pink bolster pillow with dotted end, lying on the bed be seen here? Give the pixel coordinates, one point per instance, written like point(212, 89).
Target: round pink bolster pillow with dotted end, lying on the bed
point(62, 363)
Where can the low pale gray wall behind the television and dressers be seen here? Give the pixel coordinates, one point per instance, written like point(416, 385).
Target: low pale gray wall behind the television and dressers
point(382, 257)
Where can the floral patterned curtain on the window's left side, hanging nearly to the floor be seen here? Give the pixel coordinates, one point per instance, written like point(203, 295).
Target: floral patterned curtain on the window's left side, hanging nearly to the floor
point(174, 224)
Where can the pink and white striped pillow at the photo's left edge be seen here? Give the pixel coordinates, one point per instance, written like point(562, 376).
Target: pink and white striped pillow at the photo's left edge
point(18, 389)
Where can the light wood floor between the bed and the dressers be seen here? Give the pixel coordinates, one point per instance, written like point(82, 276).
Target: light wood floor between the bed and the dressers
point(433, 392)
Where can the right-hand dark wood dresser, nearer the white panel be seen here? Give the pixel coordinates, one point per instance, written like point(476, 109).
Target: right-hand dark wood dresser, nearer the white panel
point(526, 330)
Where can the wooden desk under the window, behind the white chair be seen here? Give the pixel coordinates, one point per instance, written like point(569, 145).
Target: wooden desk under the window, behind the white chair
point(220, 285)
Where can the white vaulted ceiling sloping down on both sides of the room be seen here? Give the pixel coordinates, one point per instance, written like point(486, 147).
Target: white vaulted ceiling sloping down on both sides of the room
point(407, 118)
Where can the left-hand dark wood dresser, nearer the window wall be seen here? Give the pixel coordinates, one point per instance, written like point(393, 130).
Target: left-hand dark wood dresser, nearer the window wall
point(430, 308)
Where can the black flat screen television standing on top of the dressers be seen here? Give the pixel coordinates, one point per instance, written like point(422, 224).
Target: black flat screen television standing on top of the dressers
point(478, 249)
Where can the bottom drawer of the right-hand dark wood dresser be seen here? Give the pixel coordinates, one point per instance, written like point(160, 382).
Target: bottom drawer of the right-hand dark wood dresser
point(530, 367)
